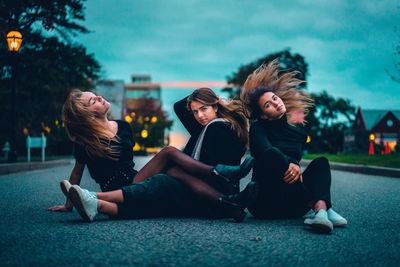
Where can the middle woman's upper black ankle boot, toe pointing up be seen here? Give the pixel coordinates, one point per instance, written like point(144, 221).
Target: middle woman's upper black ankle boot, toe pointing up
point(235, 173)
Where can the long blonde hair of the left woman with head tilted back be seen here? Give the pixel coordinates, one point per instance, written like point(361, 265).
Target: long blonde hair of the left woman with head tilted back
point(84, 129)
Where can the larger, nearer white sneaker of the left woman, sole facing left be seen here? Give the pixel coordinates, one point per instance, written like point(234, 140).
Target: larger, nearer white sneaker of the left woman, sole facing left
point(84, 201)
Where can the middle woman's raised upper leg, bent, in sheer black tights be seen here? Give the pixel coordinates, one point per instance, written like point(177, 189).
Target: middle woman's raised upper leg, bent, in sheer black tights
point(170, 157)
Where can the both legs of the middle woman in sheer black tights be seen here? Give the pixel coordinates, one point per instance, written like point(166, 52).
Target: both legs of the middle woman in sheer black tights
point(184, 168)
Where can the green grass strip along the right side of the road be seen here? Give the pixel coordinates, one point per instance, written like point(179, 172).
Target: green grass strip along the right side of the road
point(391, 160)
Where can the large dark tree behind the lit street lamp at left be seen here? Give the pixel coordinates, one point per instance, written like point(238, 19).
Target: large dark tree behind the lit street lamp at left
point(49, 64)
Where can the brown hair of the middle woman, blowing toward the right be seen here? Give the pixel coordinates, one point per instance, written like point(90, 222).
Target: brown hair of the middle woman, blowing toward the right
point(230, 110)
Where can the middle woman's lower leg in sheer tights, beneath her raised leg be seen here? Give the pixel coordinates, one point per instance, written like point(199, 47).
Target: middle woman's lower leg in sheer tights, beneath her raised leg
point(198, 186)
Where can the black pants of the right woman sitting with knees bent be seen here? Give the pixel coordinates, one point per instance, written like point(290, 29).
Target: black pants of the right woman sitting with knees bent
point(278, 199)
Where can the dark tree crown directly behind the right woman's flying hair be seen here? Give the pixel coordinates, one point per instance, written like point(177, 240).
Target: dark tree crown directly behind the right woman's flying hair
point(287, 62)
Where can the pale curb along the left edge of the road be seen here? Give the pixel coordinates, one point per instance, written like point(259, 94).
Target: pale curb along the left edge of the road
point(8, 168)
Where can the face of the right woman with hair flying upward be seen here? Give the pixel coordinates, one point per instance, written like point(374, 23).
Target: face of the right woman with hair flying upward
point(272, 107)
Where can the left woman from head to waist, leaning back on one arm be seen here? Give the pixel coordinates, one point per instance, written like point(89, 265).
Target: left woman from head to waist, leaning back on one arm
point(104, 146)
